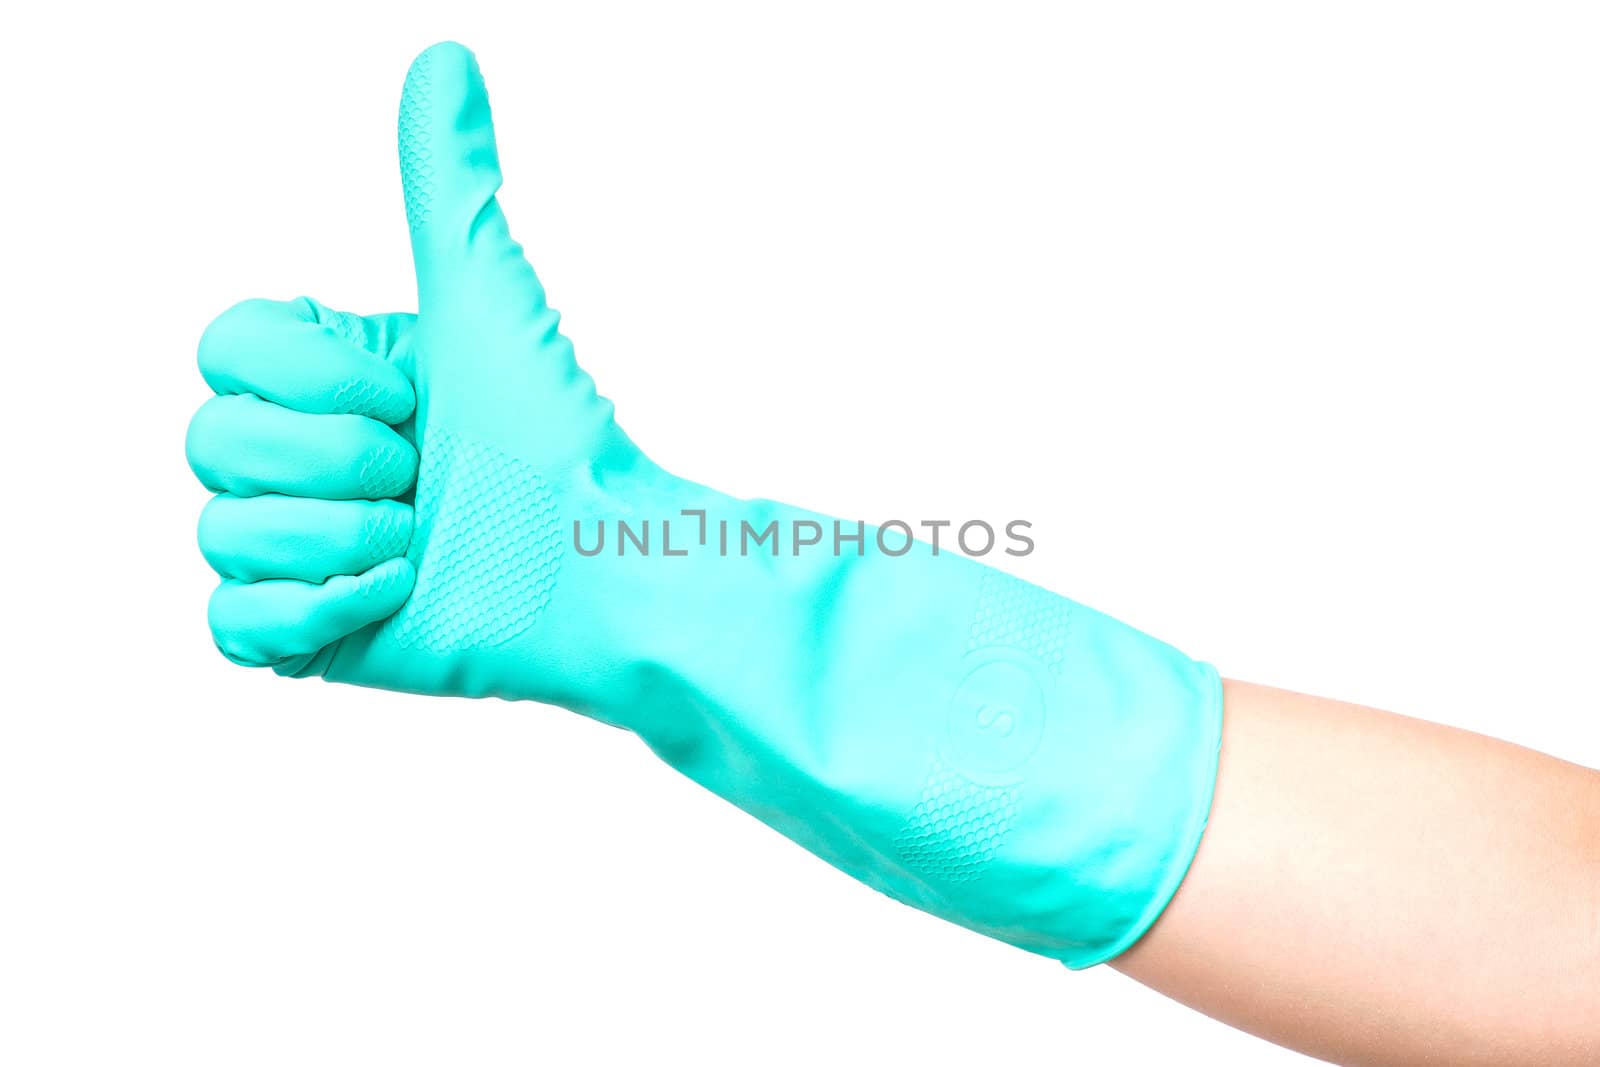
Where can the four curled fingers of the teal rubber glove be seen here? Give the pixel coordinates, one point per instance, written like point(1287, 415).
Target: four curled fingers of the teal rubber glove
point(308, 447)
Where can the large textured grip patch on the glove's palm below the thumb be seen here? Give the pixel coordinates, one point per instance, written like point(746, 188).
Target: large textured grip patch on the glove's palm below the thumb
point(487, 548)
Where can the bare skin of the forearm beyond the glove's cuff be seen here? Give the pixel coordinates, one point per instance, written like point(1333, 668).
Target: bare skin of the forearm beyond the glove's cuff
point(1378, 890)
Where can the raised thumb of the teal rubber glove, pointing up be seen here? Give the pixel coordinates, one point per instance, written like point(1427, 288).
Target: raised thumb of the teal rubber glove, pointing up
point(466, 260)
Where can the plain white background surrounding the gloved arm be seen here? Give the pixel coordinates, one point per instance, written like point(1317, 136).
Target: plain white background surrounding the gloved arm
point(1279, 322)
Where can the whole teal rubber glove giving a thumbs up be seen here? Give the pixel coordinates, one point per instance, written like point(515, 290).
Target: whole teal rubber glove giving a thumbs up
point(414, 503)
